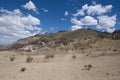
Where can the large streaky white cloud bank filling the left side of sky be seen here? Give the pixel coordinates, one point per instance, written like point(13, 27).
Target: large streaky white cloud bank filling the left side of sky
point(14, 25)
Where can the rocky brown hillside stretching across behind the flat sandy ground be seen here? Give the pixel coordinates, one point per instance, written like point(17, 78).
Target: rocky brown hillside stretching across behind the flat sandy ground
point(78, 38)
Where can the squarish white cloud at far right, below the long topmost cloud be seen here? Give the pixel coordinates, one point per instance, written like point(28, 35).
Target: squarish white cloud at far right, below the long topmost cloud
point(106, 22)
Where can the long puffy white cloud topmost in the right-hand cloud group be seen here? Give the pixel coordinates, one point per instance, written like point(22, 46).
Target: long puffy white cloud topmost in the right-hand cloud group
point(96, 9)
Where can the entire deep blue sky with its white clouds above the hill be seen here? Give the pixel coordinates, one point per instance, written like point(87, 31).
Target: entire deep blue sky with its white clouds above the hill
point(23, 18)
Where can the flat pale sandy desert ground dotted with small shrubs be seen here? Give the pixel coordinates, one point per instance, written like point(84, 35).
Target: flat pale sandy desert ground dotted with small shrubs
point(62, 65)
